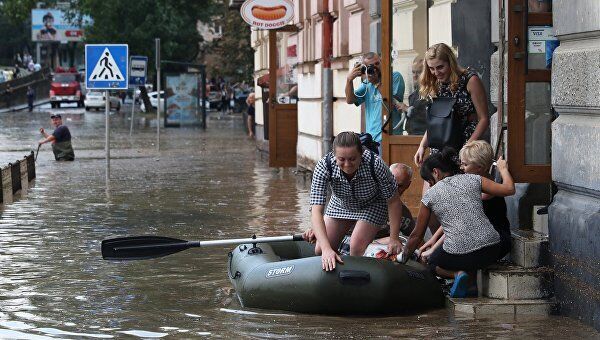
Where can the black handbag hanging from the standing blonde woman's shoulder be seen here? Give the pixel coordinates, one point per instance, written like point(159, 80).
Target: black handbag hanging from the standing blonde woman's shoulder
point(444, 128)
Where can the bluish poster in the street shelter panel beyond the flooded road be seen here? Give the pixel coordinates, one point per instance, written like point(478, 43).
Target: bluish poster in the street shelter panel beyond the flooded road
point(182, 104)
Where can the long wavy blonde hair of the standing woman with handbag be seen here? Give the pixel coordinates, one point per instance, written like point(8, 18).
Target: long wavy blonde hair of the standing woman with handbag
point(427, 81)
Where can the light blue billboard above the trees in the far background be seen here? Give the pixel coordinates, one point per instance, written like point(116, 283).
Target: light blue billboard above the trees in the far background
point(52, 25)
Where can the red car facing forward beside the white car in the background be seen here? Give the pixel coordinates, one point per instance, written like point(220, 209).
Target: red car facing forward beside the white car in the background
point(66, 88)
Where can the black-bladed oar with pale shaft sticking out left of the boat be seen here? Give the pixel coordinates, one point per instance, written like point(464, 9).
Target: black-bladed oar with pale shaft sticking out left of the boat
point(148, 247)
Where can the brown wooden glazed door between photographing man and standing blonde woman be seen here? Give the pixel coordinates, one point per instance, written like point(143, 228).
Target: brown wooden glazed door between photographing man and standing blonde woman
point(404, 42)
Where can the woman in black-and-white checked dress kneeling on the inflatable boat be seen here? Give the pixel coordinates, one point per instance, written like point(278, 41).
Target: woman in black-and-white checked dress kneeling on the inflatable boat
point(363, 196)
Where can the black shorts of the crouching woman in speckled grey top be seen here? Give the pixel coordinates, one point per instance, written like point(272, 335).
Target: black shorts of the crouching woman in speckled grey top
point(472, 261)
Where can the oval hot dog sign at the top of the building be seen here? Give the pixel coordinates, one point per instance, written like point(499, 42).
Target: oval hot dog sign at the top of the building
point(267, 14)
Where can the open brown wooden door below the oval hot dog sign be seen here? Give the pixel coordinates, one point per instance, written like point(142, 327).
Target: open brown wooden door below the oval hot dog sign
point(283, 97)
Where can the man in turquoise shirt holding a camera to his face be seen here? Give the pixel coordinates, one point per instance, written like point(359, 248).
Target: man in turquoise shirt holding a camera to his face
point(368, 92)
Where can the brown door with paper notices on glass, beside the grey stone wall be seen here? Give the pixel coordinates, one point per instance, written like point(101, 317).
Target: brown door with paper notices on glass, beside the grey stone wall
point(531, 42)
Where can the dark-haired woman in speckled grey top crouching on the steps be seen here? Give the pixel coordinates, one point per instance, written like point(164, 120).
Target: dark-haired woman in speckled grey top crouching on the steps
point(471, 241)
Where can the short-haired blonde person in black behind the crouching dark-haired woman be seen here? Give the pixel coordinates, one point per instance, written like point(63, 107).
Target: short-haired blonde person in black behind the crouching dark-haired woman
point(476, 157)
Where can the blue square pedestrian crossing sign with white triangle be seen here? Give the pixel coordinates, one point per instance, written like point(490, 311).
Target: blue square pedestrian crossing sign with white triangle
point(106, 66)
